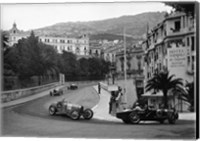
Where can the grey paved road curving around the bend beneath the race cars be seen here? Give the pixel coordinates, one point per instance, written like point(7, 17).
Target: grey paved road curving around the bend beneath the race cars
point(32, 119)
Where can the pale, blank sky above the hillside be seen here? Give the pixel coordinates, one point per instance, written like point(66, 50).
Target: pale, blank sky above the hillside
point(32, 16)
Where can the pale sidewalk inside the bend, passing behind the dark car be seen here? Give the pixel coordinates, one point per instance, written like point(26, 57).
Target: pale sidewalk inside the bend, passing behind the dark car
point(102, 108)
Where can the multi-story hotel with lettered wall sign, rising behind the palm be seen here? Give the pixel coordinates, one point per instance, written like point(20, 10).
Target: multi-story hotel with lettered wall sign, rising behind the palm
point(171, 46)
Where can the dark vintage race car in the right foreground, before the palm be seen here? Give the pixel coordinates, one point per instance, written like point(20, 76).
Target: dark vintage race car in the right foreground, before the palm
point(135, 116)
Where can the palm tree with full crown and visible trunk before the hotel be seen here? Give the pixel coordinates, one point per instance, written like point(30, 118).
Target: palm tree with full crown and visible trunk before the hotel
point(163, 82)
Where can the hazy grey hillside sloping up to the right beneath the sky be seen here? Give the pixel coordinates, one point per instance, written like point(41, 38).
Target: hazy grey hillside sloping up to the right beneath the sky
point(135, 26)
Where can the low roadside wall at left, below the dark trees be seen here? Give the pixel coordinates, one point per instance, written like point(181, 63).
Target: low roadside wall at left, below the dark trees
point(7, 96)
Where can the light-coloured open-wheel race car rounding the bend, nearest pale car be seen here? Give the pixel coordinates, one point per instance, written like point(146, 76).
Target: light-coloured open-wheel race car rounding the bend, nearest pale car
point(73, 111)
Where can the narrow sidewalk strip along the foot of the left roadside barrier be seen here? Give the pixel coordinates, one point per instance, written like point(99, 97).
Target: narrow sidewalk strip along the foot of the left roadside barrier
point(28, 98)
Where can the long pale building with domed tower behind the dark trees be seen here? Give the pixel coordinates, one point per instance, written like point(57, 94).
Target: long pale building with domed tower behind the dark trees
point(76, 45)
